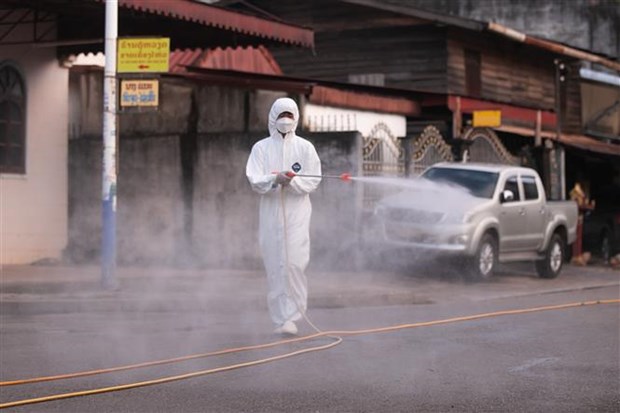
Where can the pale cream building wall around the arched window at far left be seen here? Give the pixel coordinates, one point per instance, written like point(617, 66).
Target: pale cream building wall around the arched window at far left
point(33, 206)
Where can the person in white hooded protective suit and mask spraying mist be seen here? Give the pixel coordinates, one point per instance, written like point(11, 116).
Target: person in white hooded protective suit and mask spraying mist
point(285, 209)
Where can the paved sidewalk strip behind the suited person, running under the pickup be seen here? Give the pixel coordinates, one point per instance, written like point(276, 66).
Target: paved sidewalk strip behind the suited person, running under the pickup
point(37, 289)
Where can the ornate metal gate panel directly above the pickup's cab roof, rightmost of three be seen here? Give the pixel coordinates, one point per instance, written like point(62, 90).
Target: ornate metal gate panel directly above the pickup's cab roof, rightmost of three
point(486, 147)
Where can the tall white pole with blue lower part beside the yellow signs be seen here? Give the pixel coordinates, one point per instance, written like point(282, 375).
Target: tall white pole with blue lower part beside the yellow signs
point(110, 132)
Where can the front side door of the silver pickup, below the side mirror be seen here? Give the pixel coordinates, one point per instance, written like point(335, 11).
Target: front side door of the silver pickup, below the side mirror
point(512, 223)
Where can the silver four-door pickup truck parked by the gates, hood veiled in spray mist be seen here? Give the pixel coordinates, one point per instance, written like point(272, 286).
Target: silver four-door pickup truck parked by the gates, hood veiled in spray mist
point(483, 213)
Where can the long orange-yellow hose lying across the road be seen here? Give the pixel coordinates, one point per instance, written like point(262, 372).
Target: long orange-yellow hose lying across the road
point(280, 357)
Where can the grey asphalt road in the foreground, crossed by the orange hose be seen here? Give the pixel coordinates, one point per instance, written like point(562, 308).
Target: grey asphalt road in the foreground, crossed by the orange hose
point(556, 361)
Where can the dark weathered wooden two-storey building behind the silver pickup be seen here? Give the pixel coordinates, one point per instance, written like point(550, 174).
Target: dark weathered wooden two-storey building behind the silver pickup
point(462, 66)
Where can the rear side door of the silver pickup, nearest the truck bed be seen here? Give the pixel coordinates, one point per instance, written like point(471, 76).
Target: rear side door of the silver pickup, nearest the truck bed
point(535, 212)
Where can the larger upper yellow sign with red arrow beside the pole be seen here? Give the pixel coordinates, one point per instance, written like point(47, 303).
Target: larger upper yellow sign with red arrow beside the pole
point(143, 55)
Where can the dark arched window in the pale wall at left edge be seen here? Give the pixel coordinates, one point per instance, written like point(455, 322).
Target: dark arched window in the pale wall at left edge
point(12, 120)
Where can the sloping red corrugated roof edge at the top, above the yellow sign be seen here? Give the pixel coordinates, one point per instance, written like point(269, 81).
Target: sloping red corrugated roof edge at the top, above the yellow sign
point(222, 18)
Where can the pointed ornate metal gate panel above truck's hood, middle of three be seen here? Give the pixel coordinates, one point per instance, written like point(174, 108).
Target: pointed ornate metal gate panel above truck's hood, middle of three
point(428, 149)
